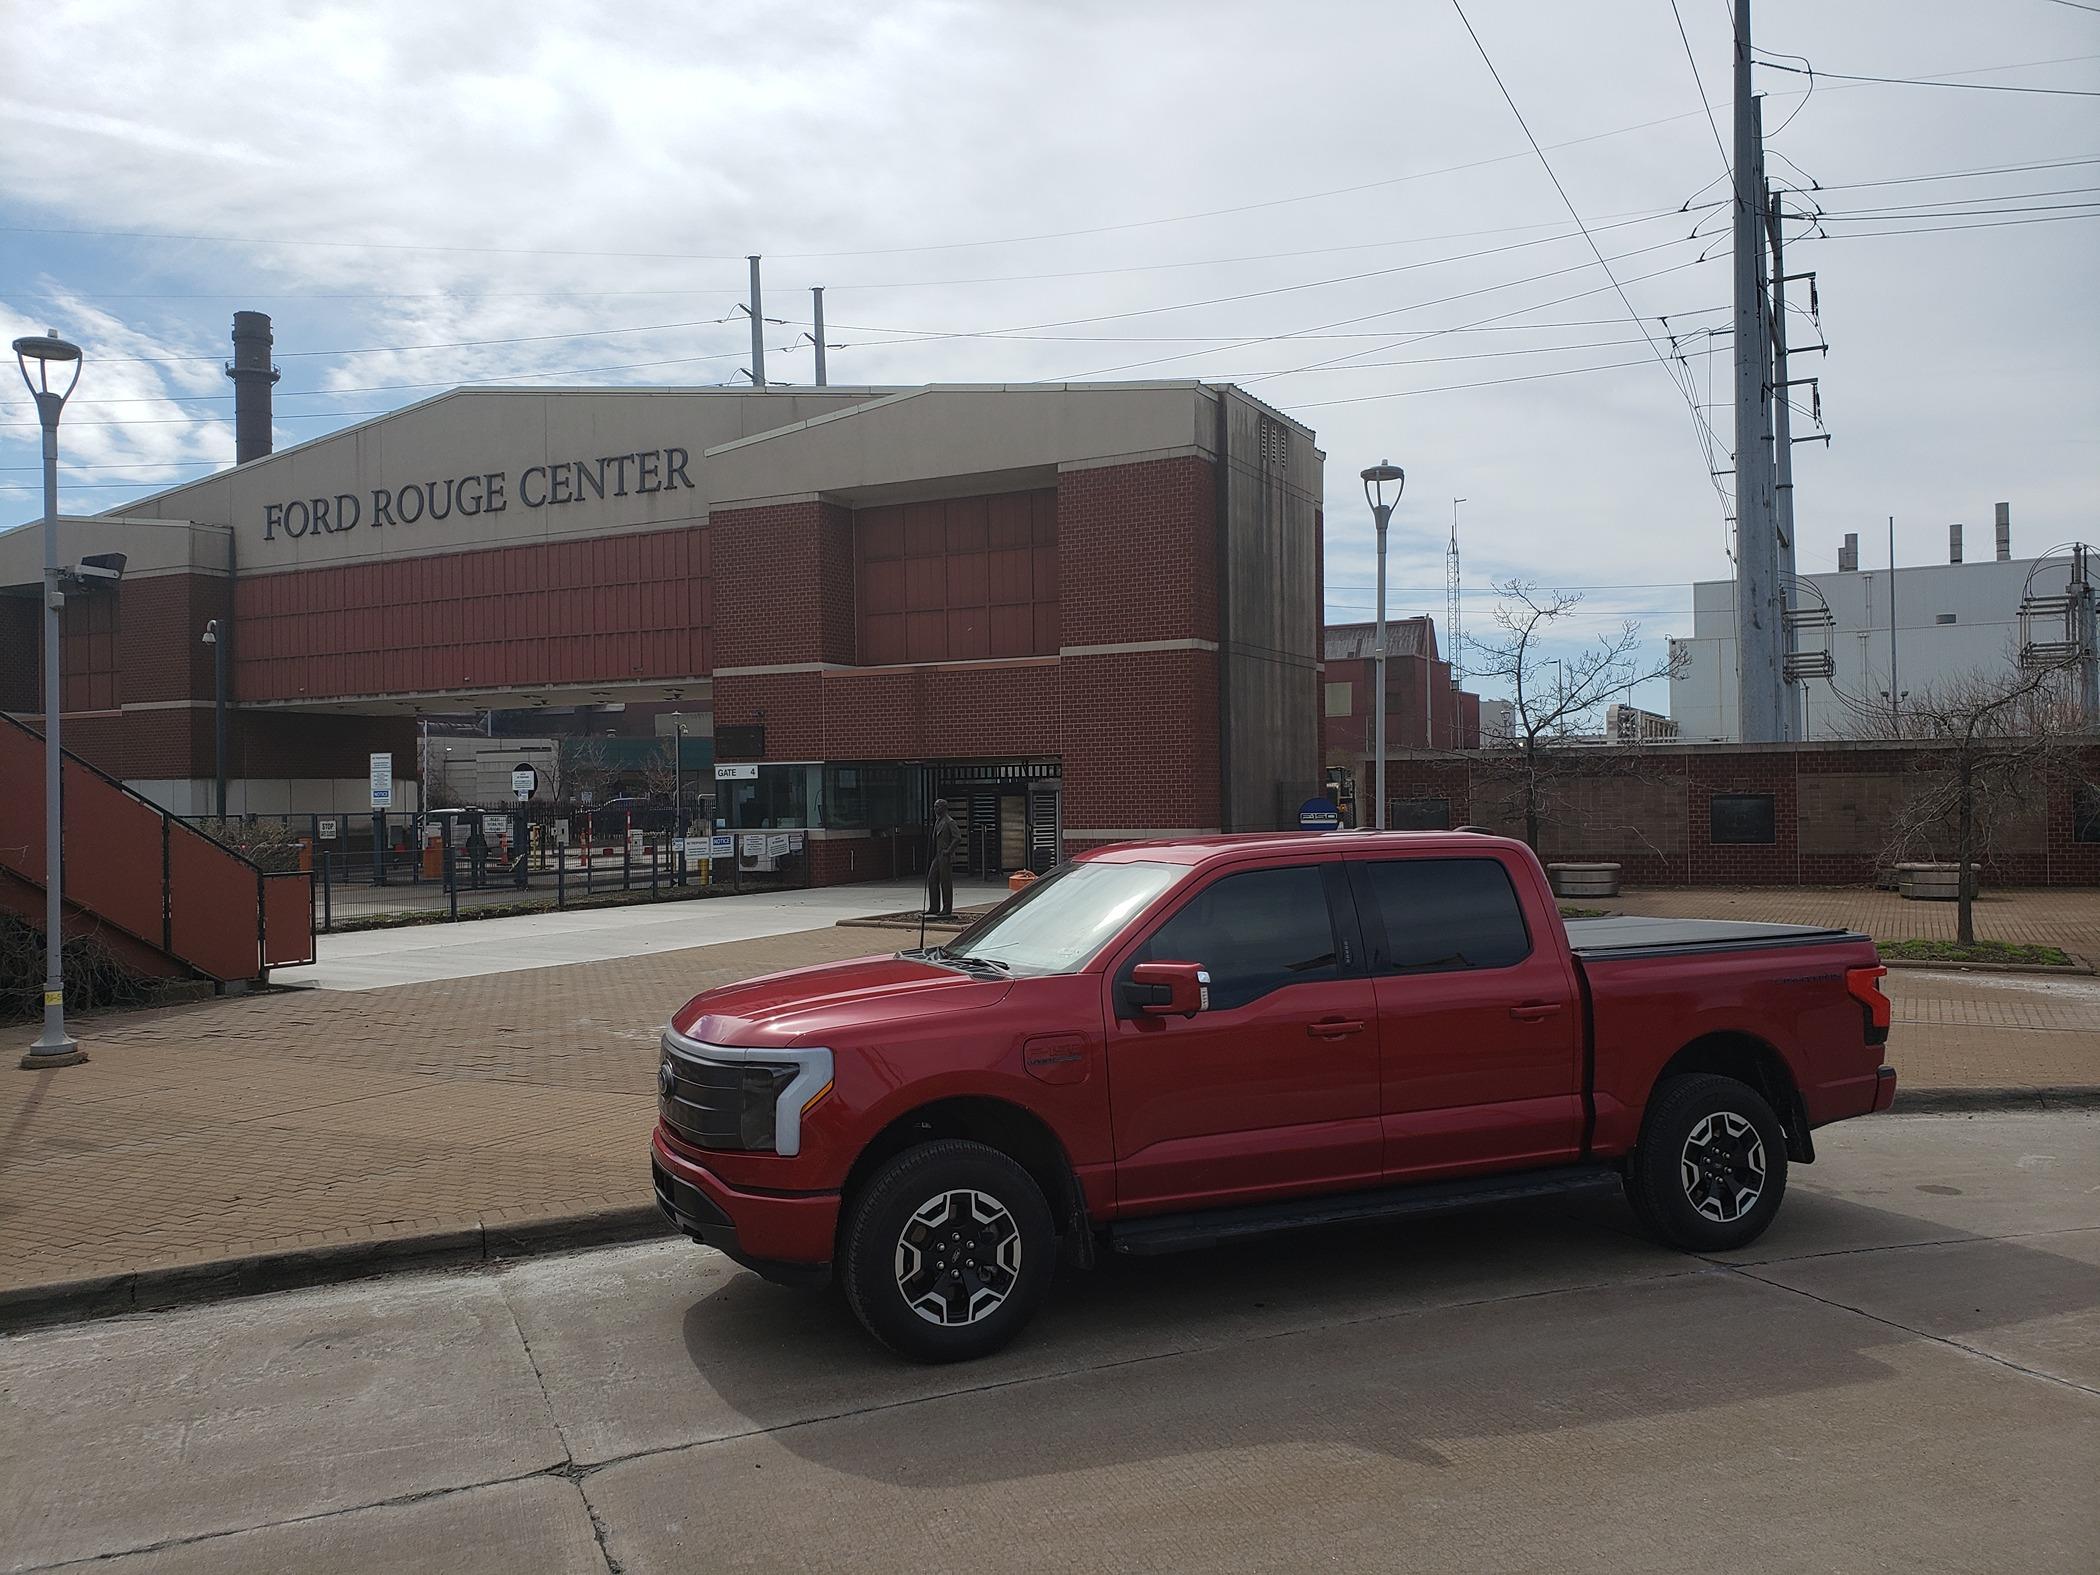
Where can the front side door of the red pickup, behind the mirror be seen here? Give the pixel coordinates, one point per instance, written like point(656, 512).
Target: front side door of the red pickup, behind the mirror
point(1269, 1091)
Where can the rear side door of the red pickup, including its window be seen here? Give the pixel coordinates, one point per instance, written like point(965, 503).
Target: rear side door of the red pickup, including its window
point(1479, 1020)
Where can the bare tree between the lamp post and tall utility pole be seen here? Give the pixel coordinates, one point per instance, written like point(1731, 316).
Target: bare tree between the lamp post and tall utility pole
point(1551, 696)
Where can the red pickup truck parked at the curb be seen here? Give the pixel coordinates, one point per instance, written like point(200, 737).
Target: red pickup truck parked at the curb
point(1173, 1045)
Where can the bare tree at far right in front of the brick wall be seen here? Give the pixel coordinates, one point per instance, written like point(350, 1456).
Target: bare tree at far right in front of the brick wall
point(1990, 747)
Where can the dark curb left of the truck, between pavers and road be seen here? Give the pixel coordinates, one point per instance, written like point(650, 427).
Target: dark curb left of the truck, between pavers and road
point(150, 1290)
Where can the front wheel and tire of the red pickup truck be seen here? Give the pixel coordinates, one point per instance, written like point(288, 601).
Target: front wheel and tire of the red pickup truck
point(959, 1286)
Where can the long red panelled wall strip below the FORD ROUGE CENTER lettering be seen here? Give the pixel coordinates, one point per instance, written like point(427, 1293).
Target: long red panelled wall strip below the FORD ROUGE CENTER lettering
point(608, 610)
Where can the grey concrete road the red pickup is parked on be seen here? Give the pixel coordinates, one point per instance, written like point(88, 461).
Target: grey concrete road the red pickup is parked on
point(1904, 1374)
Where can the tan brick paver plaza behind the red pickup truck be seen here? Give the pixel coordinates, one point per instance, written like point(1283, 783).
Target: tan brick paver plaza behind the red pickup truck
point(303, 1118)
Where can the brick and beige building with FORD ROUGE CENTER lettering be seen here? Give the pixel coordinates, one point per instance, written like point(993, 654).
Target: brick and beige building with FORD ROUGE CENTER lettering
point(1080, 612)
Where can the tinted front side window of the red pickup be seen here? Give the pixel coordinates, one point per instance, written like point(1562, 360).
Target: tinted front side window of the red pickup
point(1257, 933)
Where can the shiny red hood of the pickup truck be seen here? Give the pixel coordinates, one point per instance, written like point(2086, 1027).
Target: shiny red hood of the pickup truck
point(831, 1003)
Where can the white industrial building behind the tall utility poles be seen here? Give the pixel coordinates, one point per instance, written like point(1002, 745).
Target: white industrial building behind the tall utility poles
point(1950, 621)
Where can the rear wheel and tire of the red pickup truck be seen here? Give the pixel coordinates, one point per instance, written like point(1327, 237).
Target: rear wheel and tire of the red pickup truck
point(1713, 1164)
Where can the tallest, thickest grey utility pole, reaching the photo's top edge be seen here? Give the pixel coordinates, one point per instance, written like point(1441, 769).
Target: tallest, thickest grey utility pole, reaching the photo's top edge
point(1761, 681)
